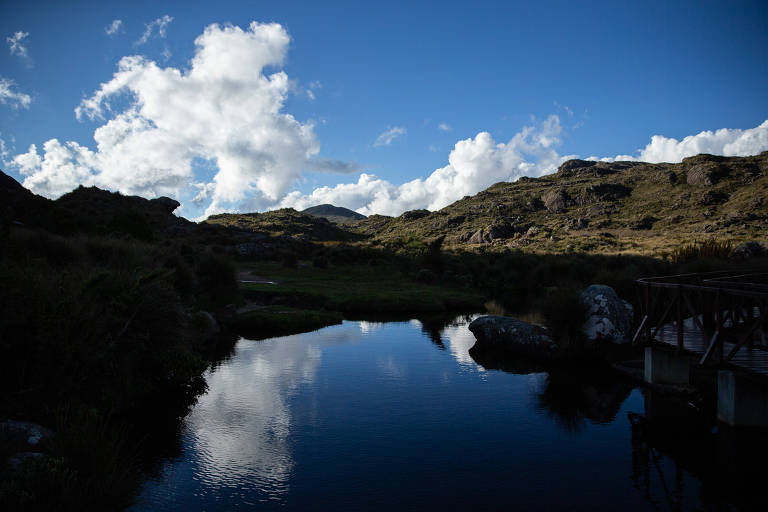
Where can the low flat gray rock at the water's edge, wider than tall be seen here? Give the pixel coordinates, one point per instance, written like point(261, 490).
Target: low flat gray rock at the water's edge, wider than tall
point(513, 335)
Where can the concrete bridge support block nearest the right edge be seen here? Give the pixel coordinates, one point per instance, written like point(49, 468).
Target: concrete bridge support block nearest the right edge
point(741, 401)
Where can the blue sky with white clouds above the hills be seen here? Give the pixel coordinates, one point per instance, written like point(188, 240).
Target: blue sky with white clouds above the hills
point(252, 106)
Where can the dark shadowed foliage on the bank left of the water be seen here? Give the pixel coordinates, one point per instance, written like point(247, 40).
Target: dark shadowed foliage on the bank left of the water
point(96, 332)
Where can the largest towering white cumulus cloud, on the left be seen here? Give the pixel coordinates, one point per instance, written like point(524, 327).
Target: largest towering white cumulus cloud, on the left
point(223, 109)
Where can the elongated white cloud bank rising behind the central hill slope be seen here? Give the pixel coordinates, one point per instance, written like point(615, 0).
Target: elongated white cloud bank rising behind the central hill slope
point(473, 165)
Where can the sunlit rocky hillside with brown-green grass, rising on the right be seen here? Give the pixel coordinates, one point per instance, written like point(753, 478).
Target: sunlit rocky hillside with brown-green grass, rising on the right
point(608, 207)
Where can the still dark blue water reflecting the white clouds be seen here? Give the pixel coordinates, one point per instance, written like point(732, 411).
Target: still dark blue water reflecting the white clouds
point(398, 415)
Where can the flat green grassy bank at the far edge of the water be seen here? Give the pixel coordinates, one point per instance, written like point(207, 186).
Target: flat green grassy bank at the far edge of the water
point(355, 289)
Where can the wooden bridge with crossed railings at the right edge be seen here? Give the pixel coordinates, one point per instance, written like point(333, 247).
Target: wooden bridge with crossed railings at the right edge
point(719, 316)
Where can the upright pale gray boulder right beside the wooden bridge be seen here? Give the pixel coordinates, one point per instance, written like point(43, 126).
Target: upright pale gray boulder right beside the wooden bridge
point(608, 317)
